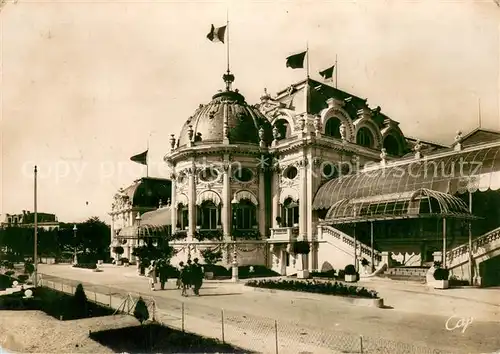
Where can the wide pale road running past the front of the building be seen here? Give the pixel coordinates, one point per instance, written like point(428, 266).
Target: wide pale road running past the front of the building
point(320, 320)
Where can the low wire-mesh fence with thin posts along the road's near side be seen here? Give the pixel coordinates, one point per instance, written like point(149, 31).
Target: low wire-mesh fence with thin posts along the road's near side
point(254, 333)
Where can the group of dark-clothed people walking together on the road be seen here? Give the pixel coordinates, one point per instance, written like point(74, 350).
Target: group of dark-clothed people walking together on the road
point(191, 275)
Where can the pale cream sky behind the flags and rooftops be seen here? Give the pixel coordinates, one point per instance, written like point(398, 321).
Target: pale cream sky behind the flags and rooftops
point(87, 84)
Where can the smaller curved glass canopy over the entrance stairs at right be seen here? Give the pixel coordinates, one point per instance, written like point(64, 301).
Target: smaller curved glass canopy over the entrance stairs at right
point(414, 204)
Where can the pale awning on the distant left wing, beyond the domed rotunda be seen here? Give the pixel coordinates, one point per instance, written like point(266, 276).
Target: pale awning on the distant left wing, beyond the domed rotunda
point(156, 223)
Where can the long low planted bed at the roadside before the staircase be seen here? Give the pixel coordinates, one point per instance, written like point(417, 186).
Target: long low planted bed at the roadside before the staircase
point(326, 288)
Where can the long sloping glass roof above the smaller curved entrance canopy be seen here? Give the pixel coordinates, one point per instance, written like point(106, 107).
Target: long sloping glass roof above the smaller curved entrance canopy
point(454, 172)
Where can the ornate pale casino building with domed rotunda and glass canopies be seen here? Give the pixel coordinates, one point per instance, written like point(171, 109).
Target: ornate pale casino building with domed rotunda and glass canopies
point(317, 166)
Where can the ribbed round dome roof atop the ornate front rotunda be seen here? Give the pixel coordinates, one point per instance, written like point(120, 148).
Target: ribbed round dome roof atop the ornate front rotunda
point(207, 125)
